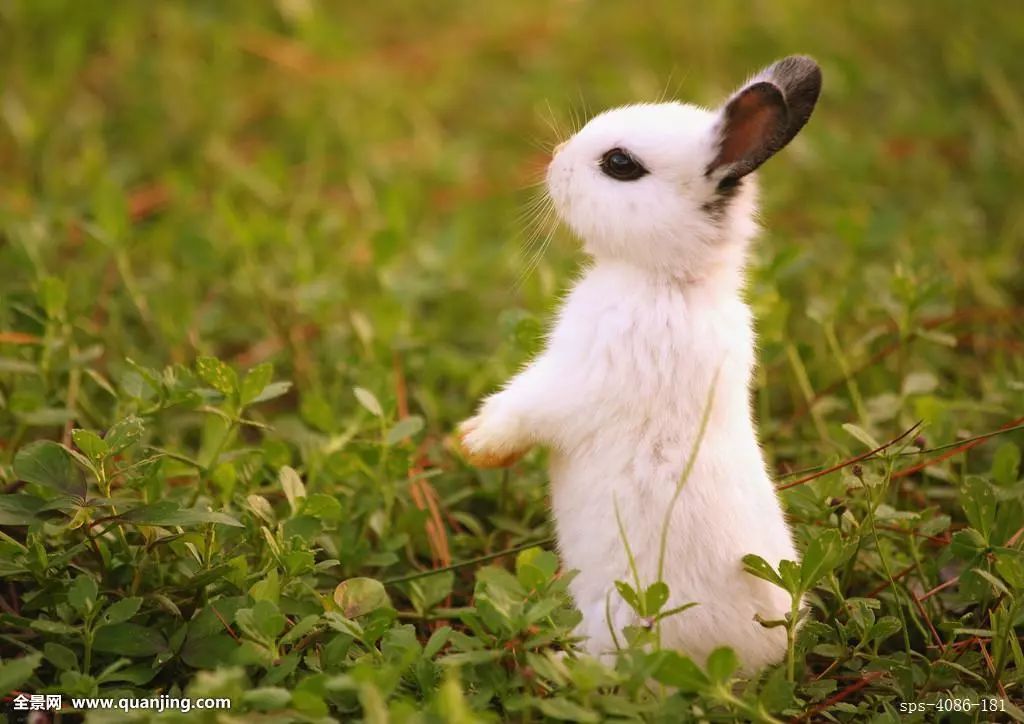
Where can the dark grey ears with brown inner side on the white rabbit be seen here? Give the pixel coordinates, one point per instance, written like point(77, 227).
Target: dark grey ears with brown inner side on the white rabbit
point(764, 116)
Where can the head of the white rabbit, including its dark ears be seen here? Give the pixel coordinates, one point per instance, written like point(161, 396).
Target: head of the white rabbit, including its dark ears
point(667, 186)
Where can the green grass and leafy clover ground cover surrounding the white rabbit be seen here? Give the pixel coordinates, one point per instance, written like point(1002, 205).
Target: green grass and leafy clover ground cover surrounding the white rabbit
point(260, 259)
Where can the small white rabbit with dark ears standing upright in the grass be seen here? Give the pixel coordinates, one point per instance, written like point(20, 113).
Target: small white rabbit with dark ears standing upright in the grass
point(662, 199)
